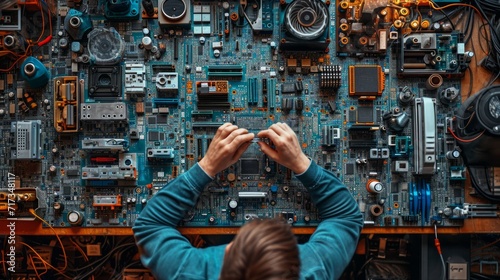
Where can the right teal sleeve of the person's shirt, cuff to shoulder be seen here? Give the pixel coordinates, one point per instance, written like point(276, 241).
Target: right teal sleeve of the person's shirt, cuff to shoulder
point(331, 247)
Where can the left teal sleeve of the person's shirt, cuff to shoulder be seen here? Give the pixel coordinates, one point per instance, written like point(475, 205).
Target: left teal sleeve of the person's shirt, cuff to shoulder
point(167, 253)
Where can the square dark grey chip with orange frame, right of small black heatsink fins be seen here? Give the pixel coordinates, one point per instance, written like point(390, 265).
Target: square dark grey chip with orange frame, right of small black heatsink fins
point(366, 81)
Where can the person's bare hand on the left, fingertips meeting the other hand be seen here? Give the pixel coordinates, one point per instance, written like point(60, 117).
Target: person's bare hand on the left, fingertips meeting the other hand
point(229, 143)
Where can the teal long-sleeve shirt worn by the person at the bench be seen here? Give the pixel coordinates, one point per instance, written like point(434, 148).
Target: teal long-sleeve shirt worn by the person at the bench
point(169, 255)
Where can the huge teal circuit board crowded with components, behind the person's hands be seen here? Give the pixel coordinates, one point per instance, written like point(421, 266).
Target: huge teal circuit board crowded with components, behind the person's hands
point(102, 103)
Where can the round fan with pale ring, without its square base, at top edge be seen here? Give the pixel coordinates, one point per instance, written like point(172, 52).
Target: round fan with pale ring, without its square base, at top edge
point(306, 19)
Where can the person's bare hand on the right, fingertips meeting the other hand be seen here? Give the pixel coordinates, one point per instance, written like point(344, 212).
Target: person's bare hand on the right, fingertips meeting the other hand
point(287, 151)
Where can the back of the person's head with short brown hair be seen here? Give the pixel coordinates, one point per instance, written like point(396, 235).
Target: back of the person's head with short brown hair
point(263, 249)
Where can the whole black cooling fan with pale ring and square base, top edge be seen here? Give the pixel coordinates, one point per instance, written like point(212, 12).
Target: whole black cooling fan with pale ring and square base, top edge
point(306, 26)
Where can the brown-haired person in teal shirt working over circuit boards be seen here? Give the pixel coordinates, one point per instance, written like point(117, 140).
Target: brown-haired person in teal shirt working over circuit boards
point(255, 253)
